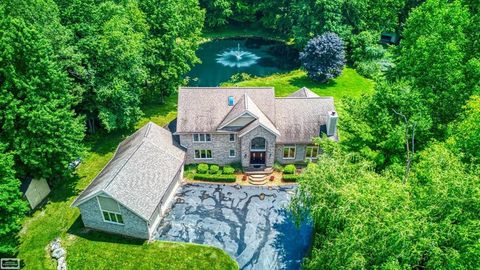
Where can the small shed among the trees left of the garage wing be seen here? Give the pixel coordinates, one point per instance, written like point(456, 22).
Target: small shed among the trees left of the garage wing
point(34, 191)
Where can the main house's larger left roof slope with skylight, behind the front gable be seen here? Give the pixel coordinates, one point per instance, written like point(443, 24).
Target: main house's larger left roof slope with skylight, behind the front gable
point(203, 109)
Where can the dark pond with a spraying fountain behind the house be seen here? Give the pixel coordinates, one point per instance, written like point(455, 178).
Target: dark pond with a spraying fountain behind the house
point(223, 58)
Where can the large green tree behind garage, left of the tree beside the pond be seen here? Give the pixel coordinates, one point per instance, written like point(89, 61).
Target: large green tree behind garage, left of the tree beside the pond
point(111, 38)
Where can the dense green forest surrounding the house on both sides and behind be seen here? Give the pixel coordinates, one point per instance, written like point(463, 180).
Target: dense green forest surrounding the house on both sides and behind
point(401, 189)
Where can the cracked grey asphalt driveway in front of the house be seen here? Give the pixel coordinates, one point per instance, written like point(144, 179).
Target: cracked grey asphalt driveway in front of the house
point(249, 223)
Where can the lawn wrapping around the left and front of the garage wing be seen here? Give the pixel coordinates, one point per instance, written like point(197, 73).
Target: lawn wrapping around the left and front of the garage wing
point(92, 250)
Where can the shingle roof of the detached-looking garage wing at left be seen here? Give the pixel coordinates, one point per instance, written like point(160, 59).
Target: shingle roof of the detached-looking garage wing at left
point(140, 172)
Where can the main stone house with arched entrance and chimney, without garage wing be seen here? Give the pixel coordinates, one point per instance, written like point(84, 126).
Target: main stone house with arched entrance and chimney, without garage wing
point(251, 126)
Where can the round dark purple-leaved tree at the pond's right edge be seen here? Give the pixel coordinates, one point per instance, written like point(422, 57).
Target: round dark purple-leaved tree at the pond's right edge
point(323, 57)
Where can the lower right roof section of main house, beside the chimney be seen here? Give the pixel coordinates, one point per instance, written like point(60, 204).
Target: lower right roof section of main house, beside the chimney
point(299, 119)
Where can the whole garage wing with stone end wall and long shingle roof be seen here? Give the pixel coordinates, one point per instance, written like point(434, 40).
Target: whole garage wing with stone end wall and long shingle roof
point(132, 192)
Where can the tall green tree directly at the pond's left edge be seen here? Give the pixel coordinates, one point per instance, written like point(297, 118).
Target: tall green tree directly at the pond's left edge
point(173, 37)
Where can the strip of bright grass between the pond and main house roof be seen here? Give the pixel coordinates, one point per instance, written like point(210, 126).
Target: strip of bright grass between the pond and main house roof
point(349, 84)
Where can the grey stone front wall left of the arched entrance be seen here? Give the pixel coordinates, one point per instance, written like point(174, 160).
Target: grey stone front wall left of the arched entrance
point(220, 147)
